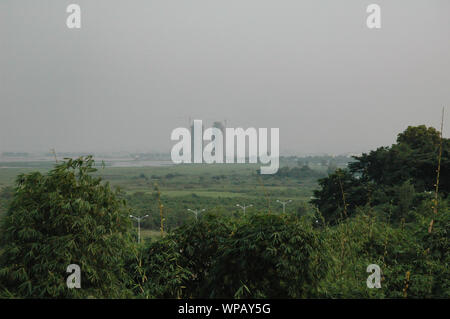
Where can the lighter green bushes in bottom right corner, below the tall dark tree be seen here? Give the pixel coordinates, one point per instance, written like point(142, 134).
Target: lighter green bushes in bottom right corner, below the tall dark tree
point(397, 249)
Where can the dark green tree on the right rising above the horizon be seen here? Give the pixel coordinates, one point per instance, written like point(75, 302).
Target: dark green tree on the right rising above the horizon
point(403, 173)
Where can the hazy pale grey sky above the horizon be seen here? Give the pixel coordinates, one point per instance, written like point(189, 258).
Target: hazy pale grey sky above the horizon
point(138, 69)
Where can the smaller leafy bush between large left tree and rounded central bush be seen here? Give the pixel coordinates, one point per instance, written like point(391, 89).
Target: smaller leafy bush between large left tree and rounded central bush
point(179, 264)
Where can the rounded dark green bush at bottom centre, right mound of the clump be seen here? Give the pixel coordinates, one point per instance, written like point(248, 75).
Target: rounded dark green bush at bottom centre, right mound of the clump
point(269, 256)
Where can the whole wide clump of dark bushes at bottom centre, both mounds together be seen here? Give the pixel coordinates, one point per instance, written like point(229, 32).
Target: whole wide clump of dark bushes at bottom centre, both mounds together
point(259, 256)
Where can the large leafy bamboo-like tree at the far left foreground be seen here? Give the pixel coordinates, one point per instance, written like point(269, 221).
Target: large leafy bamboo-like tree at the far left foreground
point(64, 217)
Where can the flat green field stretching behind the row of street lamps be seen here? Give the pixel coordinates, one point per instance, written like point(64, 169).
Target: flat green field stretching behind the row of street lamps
point(214, 187)
